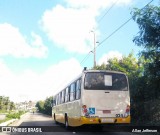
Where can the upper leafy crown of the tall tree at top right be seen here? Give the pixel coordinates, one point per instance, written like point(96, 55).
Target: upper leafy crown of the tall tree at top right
point(149, 25)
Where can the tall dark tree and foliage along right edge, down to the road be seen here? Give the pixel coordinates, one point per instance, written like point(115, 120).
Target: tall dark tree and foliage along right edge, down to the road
point(147, 98)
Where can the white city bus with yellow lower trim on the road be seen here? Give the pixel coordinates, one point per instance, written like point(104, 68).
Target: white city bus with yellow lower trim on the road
point(94, 97)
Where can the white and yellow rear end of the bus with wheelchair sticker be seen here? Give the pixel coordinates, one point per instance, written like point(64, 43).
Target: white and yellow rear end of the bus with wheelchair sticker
point(105, 98)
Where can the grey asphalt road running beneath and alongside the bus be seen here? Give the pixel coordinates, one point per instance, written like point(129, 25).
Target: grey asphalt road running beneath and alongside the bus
point(37, 121)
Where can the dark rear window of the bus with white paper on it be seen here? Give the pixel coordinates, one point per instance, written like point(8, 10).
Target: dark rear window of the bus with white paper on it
point(105, 81)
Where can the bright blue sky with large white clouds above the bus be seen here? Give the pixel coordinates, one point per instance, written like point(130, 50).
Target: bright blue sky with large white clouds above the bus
point(45, 44)
